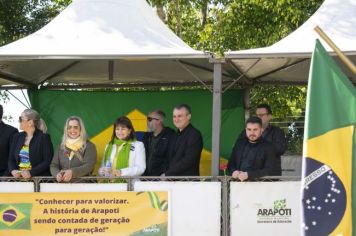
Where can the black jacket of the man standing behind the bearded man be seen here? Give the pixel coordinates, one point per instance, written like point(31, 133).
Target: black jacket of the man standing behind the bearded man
point(274, 135)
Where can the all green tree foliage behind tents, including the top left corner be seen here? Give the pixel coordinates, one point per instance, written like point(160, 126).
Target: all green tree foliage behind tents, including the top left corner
point(209, 25)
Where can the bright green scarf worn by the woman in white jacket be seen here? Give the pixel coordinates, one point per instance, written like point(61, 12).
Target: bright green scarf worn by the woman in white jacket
point(121, 159)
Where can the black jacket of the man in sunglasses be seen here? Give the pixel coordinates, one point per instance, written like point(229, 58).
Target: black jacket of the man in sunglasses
point(157, 164)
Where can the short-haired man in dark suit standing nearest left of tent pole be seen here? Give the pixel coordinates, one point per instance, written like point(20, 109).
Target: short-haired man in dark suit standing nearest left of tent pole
point(187, 144)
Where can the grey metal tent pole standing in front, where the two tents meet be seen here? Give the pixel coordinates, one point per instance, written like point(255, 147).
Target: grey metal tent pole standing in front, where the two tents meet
point(216, 122)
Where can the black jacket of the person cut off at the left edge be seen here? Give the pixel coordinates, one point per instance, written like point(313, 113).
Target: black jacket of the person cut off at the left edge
point(6, 134)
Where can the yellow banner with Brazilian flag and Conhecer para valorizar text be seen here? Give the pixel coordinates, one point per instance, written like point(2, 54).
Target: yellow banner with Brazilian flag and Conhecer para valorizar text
point(120, 213)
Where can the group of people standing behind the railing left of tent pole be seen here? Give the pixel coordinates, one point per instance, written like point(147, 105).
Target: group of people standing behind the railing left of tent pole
point(162, 152)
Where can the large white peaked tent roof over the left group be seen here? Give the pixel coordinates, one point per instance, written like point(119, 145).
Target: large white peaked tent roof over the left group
point(103, 42)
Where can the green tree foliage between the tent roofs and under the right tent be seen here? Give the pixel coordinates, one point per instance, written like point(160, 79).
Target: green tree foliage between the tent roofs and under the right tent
point(222, 25)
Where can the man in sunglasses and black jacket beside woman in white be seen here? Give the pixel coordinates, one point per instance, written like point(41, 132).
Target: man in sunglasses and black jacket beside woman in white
point(156, 142)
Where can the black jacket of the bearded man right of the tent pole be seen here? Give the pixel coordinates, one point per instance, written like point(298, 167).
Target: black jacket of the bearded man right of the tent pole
point(260, 155)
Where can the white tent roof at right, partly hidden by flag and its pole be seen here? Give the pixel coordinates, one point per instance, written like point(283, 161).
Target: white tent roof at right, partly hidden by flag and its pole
point(288, 60)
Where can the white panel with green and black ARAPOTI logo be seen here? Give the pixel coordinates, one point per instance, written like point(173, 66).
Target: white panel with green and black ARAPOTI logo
point(265, 208)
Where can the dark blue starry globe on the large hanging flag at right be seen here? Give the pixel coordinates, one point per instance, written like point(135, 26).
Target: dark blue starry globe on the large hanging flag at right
point(323, 201)
